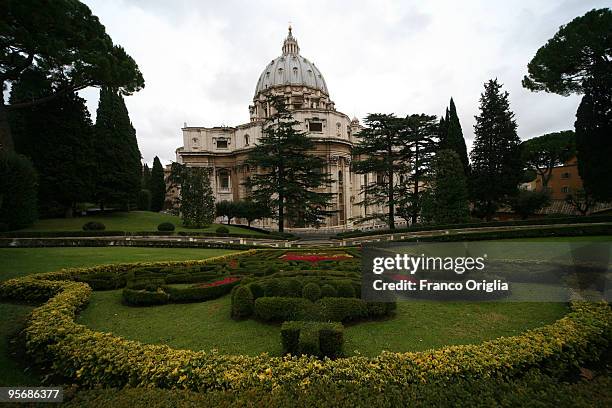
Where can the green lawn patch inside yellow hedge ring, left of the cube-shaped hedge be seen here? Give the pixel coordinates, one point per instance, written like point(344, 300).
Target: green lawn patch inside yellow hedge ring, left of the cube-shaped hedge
point(196, 326)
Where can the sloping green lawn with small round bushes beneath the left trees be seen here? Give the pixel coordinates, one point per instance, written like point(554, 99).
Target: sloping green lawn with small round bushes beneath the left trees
point(133, 221)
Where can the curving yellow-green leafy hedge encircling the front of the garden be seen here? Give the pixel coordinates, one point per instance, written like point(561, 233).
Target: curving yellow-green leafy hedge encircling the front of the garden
point(92, 358)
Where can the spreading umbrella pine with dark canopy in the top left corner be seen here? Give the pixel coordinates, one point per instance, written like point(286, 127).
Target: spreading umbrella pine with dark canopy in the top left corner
point(67, 44)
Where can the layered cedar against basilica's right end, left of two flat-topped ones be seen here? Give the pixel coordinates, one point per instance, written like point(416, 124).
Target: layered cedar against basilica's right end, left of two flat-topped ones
point(379, 153)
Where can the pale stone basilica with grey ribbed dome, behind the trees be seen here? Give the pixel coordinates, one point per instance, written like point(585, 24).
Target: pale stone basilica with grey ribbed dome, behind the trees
point(224, 149)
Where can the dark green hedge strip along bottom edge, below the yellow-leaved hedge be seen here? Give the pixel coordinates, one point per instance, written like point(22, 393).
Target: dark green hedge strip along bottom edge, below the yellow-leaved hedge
point(532, 390)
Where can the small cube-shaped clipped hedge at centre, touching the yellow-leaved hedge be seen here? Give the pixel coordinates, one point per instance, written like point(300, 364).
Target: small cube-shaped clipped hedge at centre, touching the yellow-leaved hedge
point(312, 338)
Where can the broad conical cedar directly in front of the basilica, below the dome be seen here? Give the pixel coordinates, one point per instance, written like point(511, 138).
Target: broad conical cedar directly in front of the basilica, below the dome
point(290, 176)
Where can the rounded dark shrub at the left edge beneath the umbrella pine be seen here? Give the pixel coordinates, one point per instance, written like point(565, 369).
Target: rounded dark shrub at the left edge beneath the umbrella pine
point(18, 189)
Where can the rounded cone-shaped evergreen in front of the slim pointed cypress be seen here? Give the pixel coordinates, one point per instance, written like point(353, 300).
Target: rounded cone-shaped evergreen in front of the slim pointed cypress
point(446, 202)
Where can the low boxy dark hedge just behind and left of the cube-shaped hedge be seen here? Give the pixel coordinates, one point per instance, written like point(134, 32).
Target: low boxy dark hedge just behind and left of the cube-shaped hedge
point(283, 308)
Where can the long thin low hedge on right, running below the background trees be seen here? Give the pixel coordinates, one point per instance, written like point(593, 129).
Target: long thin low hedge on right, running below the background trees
point(510, 223)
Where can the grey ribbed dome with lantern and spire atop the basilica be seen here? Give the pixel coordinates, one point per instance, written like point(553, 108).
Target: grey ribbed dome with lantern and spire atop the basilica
point(291, 69)
